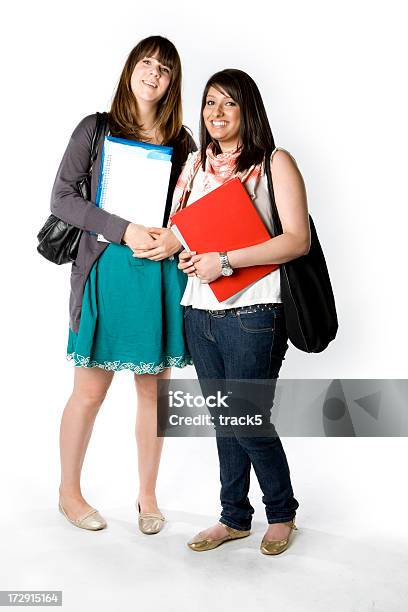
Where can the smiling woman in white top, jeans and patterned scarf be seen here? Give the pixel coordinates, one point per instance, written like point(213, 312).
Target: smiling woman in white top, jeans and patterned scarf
point(245, 336)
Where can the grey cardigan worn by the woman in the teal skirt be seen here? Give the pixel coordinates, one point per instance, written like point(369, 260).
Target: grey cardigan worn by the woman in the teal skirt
point(70, 206)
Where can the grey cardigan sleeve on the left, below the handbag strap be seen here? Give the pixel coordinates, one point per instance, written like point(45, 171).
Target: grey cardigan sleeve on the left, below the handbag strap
point(66, 202)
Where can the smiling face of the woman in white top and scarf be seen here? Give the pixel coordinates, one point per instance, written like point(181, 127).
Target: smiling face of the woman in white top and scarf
point(222, 118)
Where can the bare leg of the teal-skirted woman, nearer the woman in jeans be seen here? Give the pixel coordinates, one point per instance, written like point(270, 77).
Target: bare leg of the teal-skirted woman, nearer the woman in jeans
point(149, 446)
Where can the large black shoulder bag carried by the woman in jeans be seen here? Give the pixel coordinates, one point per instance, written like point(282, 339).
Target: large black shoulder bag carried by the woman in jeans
point(306, 292)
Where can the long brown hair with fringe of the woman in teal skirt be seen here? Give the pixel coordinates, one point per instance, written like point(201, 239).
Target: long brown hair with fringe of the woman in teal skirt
point(123, 116)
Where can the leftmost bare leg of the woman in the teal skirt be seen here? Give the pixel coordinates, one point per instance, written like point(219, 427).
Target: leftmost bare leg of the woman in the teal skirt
point(90, 388)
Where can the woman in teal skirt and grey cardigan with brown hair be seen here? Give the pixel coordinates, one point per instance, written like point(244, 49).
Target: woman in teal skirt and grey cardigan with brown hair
point(124, 312)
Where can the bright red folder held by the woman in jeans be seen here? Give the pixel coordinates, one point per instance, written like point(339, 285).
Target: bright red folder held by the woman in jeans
point(224, 220)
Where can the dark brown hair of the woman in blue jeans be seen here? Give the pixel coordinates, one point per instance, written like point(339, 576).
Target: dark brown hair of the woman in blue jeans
point(255, 132)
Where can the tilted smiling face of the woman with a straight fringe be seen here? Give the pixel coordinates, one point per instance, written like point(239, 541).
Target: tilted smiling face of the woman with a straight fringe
point(150, 80)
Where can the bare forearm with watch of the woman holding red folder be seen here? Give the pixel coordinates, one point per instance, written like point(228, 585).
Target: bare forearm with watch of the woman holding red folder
point(280, 249)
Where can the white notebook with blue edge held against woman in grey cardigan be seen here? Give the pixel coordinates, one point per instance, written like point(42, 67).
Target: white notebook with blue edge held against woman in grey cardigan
point(134, 180)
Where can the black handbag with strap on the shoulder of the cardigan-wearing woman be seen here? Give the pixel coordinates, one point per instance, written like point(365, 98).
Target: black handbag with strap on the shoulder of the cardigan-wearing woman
point(58, 240)
